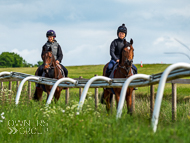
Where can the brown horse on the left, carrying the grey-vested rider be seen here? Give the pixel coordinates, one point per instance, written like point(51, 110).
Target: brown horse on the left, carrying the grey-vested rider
point(50, 70)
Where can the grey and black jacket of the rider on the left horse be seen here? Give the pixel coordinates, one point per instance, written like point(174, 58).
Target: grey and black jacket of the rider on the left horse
point(56, 50)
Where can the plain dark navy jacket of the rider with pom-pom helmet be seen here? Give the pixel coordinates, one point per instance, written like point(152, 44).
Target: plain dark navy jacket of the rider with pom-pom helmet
point(116, 48)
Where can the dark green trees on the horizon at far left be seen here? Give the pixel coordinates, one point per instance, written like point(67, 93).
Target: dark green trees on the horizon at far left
point(11, 59)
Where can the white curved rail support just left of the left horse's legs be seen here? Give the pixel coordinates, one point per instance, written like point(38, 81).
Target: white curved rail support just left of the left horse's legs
point(21, 85)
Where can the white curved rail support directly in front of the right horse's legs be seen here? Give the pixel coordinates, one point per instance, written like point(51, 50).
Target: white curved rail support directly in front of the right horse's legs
point(124, 90)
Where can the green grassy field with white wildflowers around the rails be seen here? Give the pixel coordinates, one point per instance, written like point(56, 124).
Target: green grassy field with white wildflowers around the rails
point(37, 123)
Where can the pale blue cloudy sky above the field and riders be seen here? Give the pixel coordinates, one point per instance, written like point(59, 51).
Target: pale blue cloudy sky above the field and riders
point(86, 28)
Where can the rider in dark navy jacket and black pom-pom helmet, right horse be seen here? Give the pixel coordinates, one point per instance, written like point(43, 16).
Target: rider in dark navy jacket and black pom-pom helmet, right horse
point(116, 48)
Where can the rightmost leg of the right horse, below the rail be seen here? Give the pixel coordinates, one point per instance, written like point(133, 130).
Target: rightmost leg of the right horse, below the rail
point(129, 100)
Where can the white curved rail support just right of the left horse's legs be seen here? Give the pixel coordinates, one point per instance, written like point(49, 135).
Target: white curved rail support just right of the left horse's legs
point(55, 86)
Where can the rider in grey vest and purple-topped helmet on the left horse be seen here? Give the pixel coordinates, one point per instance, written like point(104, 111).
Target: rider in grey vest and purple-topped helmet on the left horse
point(56, 50)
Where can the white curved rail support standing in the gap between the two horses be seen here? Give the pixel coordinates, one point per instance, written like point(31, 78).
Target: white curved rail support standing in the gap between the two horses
point(83, 96)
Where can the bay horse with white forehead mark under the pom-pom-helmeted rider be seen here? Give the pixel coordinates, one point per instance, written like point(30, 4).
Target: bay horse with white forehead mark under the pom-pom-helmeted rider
point(124, 70)
